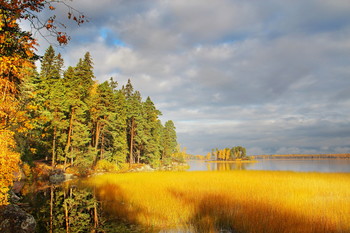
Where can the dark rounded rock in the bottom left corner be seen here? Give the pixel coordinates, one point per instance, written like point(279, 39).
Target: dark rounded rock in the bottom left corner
point(14, 219)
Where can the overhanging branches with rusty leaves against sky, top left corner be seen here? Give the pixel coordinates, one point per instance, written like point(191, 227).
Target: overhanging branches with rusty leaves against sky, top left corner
point(33, 11)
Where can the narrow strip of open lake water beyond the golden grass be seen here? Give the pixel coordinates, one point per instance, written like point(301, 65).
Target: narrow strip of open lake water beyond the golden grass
point(298, 165)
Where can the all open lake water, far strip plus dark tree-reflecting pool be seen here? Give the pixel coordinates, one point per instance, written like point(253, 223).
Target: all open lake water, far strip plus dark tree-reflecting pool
point(55, 205)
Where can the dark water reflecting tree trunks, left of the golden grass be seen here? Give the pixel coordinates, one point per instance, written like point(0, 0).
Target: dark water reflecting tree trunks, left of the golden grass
point(69, 208)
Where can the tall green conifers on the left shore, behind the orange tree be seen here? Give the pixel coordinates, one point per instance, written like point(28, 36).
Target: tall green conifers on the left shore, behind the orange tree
point(76, 121)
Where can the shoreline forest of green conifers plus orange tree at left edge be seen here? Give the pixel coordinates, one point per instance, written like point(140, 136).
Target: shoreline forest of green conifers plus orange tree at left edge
point(64, 116)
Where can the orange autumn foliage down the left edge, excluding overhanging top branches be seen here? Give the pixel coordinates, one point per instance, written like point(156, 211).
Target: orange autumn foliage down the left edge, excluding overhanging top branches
point(16, 57)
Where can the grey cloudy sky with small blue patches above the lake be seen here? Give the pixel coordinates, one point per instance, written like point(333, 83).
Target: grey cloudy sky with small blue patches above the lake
point(272, 76)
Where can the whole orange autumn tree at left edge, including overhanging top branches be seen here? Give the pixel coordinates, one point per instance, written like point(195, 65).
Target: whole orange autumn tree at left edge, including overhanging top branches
point(16, 58)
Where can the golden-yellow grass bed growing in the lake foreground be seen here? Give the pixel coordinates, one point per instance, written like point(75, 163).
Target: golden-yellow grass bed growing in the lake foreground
point(237, 201)
